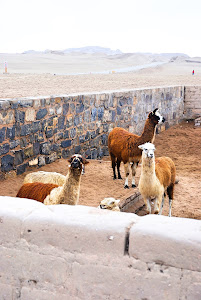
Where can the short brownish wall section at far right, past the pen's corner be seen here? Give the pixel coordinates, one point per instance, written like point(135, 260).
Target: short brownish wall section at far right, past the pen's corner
point(192, 102)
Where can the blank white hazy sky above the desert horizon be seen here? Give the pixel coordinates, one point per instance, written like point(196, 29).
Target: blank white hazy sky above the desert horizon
point(129, 25)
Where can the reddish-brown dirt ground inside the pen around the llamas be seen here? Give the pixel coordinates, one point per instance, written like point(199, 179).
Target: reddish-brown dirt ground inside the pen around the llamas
point(181, 142)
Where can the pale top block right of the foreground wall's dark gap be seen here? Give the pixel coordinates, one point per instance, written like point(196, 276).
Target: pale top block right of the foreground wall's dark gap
point(175, 242)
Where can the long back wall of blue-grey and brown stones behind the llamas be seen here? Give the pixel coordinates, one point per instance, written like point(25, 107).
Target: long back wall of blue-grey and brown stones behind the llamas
point(37, 131)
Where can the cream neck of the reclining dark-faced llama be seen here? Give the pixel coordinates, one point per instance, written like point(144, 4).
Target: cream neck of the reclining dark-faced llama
point(71, 187)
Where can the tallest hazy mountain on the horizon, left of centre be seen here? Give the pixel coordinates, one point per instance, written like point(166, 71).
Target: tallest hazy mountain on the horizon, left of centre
point(93, 49)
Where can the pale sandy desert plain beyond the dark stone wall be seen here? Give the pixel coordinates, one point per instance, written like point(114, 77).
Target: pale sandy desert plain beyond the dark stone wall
point(31, 75)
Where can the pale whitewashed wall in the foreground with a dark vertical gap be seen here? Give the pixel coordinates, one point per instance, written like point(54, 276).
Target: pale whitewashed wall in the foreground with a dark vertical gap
point(79, 252)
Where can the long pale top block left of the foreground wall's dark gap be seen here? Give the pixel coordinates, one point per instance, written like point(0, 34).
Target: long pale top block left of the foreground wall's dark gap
point(79, 229)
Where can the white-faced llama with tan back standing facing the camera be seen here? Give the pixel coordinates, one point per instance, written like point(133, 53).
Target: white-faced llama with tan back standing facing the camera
point(157, 178)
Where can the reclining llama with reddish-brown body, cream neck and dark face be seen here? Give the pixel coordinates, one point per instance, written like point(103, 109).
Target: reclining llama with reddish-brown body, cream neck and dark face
point(54, 194)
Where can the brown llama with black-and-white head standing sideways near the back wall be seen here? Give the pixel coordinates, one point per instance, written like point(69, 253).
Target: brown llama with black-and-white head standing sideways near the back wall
point(123, 146)
